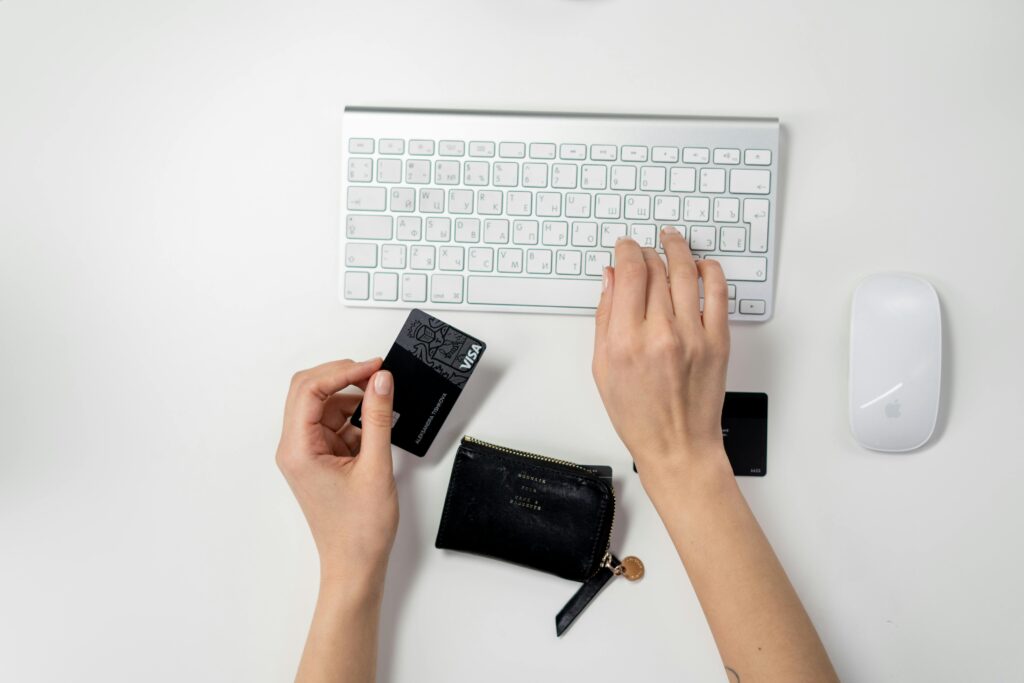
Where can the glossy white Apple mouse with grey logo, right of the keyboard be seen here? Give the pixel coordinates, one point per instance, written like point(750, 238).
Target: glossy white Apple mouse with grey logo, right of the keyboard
point(895, 362)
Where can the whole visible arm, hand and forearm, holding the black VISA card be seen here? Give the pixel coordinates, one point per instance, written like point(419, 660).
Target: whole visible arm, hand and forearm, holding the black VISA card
point(345, 483)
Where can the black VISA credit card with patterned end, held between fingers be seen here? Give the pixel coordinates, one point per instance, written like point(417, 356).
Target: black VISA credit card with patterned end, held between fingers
point(432, 363)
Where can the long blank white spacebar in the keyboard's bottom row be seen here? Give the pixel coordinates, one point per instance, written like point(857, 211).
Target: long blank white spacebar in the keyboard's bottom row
point(534, 292)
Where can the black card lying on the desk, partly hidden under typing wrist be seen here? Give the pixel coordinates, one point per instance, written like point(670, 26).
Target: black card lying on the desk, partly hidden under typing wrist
point(745, 433)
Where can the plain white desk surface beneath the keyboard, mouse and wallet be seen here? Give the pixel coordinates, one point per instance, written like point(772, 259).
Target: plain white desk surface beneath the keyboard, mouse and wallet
point(169, 203)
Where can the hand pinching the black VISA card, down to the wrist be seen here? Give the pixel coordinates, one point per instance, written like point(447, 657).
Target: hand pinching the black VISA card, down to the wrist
point(342, 476)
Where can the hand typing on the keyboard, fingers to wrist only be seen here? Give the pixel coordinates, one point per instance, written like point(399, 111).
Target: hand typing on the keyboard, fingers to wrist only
point(660, 364)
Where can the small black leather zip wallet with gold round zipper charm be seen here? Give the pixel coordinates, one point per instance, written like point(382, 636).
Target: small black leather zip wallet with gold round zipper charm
point(546, 515)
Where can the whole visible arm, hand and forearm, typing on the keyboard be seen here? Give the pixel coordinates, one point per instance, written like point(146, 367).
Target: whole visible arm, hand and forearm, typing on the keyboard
point(660, 366)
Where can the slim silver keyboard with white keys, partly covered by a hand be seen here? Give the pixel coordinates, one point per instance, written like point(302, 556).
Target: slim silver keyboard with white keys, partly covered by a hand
point(521, 212)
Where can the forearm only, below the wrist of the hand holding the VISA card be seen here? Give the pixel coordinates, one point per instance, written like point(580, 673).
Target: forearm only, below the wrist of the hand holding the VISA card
point(343, 643)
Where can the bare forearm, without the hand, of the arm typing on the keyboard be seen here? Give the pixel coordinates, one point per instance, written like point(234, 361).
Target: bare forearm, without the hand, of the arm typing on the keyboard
point(759, 624)
